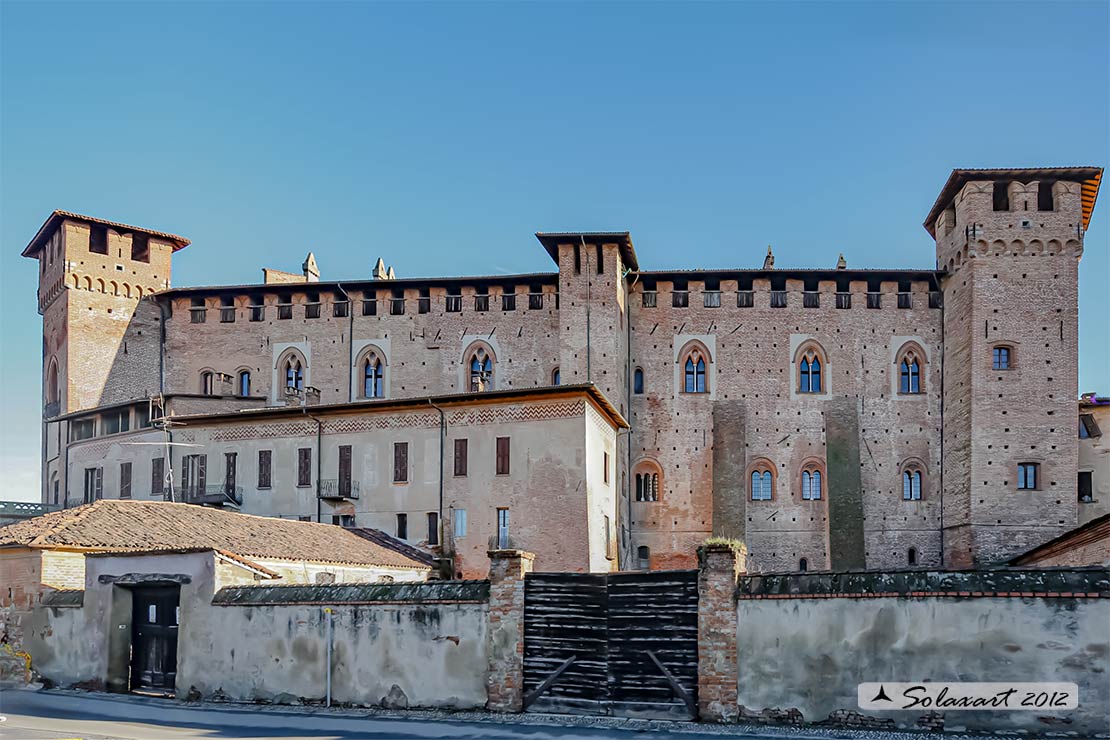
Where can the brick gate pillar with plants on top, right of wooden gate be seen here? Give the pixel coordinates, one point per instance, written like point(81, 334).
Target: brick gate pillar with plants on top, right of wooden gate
point(718, 670)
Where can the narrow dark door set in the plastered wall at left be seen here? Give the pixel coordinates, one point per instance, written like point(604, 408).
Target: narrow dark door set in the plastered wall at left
point(155, 638)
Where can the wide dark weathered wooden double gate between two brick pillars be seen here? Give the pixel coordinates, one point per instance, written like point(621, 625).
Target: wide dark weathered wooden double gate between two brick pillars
point(612, 644)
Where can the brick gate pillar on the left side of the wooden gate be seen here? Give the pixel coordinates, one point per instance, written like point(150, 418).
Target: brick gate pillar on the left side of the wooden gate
point(506, 638)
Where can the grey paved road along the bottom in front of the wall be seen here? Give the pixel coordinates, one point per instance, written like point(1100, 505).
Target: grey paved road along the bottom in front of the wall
point(48, 716)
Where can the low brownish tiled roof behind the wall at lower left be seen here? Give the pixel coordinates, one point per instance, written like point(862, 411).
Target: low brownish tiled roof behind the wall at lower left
point(116, 526)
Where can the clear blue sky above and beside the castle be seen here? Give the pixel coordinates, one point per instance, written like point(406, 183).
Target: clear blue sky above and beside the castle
point(442, 137)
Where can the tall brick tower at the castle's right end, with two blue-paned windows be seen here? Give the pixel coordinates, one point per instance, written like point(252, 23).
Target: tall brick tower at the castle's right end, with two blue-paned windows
point(1010, 242)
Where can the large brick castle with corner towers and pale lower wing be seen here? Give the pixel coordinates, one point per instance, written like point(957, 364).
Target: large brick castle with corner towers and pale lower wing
point(603, 415)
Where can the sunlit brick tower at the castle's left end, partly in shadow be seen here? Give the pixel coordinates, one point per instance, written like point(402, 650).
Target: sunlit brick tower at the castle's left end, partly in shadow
point(100, 340)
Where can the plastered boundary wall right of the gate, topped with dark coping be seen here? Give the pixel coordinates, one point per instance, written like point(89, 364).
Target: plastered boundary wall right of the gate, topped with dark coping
point(806, 642)
